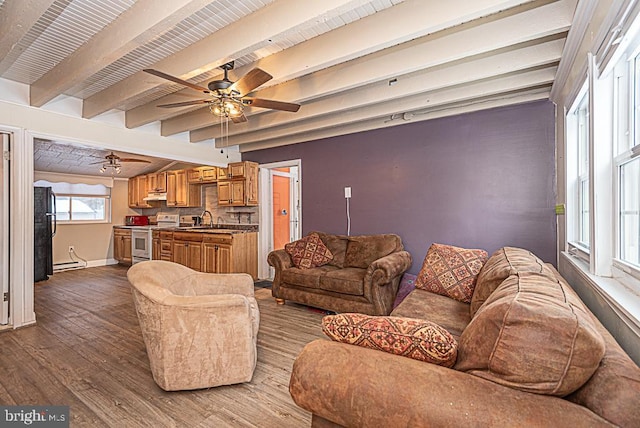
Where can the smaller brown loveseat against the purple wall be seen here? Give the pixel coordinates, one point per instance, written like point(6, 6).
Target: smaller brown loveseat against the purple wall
point(362, 277)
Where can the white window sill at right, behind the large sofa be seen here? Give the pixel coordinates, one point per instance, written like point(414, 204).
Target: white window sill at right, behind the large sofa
point(621, 297)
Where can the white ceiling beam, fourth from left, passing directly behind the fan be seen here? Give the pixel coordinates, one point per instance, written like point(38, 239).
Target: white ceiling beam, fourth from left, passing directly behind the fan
point(394, 25)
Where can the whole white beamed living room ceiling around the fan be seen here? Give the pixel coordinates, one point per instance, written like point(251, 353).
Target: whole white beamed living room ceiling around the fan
point(353, 65)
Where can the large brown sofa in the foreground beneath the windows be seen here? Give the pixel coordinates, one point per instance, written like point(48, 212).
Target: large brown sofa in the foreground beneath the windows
point(530, 354)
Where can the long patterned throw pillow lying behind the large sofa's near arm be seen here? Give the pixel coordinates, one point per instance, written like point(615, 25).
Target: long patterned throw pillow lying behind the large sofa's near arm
point(418, 339)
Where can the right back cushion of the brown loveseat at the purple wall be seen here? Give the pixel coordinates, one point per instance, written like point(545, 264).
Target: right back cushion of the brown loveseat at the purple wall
point(365, 249)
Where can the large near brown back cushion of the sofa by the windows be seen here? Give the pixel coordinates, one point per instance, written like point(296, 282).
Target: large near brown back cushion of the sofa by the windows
point(532, 335)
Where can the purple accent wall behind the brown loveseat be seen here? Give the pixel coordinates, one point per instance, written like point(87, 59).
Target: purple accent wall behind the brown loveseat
point(478, 180)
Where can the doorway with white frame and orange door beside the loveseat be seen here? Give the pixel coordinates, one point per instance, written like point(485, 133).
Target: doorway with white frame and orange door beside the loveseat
point(280, 209)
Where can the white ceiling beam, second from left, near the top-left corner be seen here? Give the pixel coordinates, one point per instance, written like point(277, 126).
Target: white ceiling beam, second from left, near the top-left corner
point(137, 26)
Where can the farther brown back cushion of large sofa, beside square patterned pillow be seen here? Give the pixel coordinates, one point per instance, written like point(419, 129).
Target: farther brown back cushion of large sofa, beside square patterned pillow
point(503, 263)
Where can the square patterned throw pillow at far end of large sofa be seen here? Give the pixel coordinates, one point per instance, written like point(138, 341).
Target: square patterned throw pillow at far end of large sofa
point(451, 271)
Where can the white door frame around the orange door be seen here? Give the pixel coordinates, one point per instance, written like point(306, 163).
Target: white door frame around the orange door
point(265, 211)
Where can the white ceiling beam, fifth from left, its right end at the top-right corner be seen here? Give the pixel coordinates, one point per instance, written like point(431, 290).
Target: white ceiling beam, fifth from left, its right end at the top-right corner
point(426, 52)
